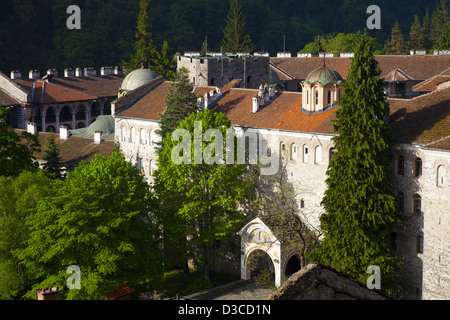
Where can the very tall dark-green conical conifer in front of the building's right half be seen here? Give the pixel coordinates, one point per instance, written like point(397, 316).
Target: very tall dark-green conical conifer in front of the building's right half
point(360, 208)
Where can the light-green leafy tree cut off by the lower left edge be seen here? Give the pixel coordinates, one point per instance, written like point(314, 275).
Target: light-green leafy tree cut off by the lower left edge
point(19, 197)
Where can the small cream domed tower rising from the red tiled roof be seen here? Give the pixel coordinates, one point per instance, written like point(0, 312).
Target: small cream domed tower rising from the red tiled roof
point(321, 89)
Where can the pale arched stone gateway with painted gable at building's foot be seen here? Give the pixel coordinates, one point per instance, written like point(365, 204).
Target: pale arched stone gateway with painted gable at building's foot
point(256, 235)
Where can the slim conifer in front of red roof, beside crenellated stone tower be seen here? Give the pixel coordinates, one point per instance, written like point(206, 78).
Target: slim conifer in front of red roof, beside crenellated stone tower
point(181, 101)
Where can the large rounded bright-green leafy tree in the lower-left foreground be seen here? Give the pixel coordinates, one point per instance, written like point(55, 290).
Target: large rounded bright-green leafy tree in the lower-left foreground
point(98, 219)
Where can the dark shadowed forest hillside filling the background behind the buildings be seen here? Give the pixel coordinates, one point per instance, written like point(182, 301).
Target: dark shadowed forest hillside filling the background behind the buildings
point(33, 33)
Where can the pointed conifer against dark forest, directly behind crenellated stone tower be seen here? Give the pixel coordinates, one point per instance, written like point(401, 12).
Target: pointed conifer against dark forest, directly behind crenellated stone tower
point(235, 40)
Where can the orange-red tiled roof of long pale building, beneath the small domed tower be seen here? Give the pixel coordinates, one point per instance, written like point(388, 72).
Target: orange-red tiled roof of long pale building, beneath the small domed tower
point(424, 119)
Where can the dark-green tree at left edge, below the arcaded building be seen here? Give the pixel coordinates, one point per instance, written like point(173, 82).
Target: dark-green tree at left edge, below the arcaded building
point(16, 150)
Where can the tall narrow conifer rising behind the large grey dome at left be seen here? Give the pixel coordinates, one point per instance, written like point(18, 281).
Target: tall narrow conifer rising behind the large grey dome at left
point(144, 48)
